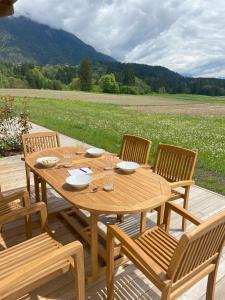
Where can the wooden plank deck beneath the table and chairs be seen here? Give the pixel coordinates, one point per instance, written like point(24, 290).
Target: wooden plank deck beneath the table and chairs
point(131, 283)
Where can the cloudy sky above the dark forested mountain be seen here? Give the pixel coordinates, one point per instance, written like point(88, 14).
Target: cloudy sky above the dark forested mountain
point(186, 36)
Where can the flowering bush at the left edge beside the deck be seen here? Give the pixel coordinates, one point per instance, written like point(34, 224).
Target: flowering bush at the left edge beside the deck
point(12, 125)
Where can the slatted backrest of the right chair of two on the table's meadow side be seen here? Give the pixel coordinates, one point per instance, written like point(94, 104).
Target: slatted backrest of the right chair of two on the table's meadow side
point(174, 163)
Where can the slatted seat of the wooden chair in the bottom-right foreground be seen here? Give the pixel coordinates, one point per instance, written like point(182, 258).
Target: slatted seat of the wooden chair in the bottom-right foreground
point(158, 245)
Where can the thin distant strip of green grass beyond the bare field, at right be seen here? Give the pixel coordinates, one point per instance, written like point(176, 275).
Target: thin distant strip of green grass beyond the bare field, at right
point(192, 97)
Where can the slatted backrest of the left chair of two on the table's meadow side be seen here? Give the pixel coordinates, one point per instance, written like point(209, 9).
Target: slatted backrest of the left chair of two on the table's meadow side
point(135, 148)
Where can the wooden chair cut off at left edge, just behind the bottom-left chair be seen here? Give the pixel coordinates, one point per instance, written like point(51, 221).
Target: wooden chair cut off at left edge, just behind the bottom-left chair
point(13, 200)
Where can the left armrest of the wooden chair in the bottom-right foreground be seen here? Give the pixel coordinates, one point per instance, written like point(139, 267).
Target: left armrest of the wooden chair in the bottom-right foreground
point(126, 242)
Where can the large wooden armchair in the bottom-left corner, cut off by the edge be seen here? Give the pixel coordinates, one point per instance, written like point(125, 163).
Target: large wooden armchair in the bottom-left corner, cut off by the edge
point(32, 263)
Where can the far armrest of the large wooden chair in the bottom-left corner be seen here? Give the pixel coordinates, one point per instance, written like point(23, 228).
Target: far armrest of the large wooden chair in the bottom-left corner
point(25, 211)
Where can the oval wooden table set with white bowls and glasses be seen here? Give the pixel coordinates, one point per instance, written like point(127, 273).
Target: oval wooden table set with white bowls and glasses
point(96, 183)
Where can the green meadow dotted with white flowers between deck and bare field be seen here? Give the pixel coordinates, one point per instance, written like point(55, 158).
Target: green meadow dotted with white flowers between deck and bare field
point(103, 125)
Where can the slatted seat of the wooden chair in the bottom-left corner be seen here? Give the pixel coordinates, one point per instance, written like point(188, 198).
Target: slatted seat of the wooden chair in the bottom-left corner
point(14, 257)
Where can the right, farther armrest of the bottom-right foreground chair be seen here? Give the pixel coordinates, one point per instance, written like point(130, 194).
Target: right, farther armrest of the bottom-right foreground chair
point(182, 212)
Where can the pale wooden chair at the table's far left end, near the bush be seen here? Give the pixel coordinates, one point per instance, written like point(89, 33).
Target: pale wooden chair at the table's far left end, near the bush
point(38, 141)
